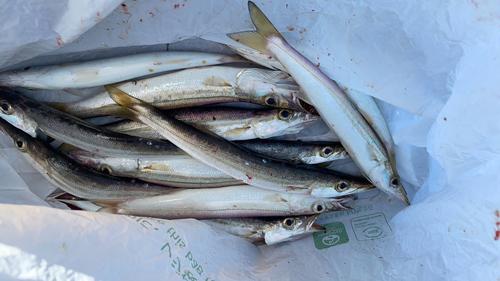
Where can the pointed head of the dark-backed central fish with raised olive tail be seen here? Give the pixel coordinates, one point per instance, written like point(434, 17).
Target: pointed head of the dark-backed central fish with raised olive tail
point(340, 187)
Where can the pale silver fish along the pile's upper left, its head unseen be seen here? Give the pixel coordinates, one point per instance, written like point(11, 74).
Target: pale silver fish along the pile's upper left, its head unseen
point(109, 71)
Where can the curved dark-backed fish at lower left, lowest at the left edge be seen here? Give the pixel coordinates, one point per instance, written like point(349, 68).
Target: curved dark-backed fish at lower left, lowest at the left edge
point(72, 177)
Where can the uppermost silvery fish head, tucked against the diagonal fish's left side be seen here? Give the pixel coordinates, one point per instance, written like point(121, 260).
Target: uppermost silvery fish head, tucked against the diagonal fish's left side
point(272, 88)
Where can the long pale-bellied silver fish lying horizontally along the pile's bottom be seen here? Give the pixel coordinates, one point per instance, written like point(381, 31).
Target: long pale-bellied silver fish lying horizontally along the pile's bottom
point(226, 202)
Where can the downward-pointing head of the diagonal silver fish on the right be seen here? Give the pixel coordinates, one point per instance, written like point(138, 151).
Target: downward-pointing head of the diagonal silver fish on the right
point(383, 178)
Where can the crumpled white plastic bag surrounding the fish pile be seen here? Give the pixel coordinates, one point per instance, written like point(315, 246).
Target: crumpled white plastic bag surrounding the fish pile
point(432, 66)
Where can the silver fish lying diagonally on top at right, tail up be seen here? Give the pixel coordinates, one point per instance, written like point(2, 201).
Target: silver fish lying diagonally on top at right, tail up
point(329, 100)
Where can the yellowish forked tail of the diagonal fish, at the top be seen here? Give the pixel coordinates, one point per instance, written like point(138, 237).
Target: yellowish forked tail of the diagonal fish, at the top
point(256, 39)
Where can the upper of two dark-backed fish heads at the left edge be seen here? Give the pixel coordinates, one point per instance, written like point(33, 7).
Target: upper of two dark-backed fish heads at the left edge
point(15, 109)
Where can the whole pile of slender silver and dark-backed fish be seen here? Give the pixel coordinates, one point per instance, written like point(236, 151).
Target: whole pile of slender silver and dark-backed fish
point(179, 154)
